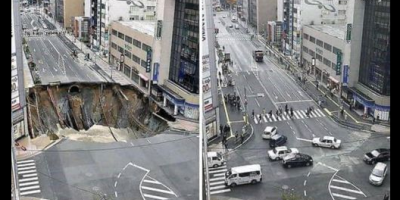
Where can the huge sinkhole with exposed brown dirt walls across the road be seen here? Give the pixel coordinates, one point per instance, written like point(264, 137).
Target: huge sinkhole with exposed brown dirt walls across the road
point(98, 112)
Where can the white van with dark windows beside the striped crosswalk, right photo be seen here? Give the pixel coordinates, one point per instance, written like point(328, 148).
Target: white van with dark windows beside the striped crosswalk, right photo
point(243, 175)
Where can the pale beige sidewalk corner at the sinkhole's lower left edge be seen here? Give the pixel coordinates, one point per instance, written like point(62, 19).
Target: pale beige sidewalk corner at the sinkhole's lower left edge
point(33, 146)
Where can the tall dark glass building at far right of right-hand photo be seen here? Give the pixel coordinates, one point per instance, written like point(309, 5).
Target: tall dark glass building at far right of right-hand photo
point(373, 91)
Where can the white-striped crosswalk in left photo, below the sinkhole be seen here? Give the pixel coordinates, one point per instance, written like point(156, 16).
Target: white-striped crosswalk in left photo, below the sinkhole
point(28, 178)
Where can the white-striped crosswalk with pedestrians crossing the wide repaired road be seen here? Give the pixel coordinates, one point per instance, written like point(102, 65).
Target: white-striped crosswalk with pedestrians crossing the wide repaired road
point(298, 114)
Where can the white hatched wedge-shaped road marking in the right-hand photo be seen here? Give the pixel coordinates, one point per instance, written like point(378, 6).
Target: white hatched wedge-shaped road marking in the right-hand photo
point(342, 189)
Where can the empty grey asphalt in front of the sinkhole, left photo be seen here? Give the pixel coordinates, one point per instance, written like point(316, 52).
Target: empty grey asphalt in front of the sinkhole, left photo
point(165, 166)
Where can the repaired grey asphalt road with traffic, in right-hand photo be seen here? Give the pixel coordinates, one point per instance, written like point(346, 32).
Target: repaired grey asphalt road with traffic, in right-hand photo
point(336, 174)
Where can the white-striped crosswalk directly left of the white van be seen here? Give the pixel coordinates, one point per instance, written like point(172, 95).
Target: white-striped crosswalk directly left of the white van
point(217, 180)
